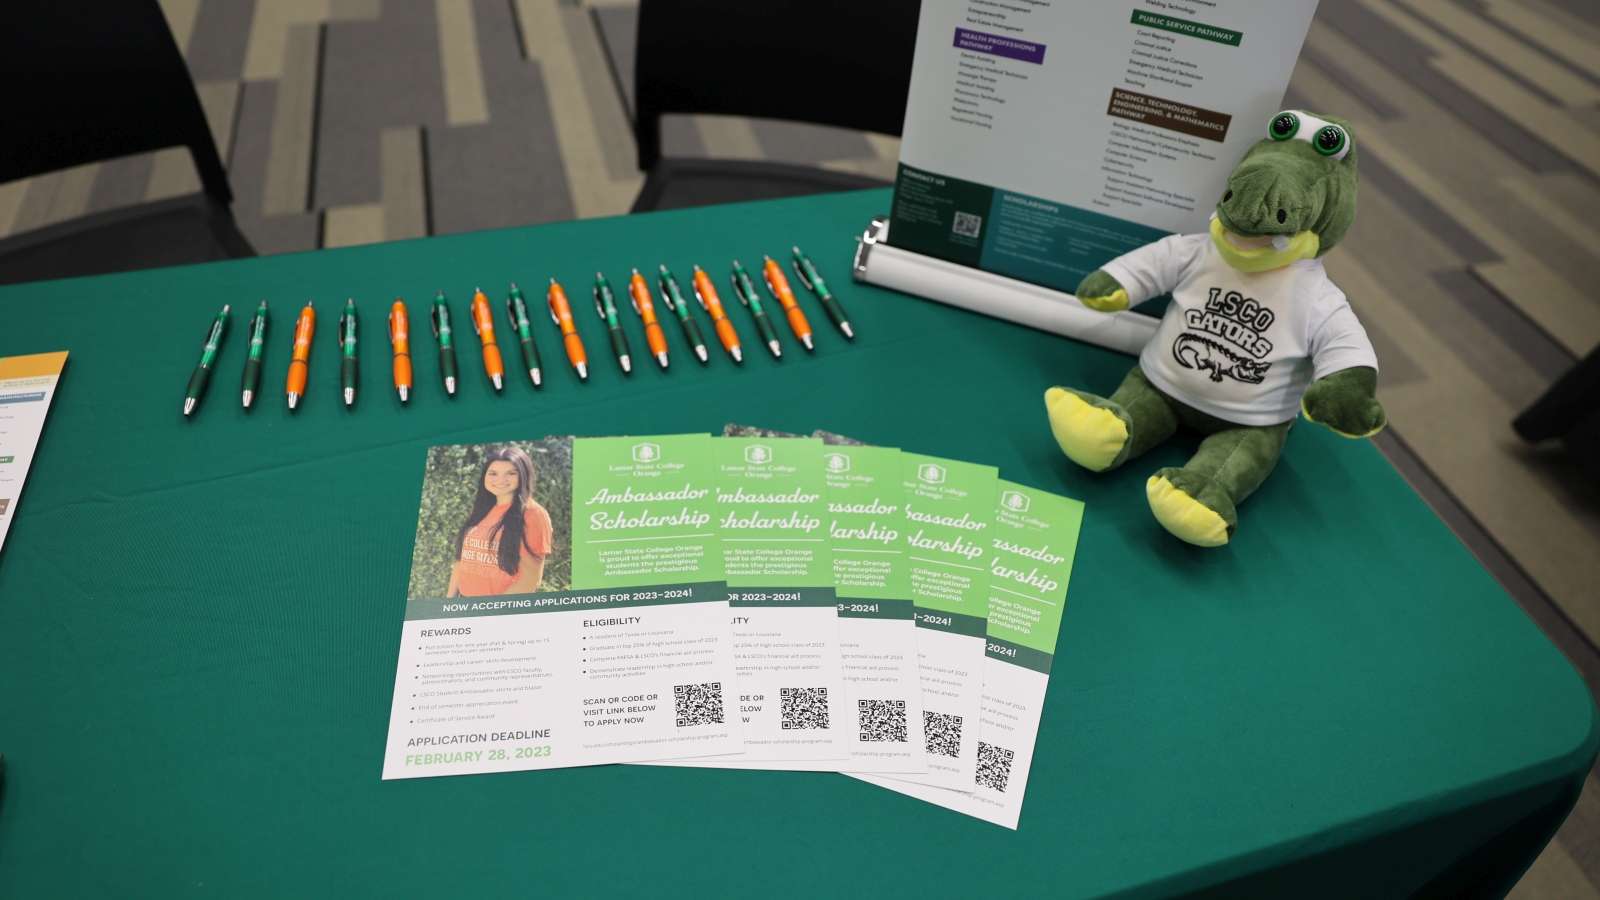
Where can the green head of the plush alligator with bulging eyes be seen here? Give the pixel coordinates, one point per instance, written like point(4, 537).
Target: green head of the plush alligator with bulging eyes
point(1294, 195)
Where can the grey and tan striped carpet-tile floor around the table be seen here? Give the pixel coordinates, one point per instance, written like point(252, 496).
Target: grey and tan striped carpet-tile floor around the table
point(1474, 262)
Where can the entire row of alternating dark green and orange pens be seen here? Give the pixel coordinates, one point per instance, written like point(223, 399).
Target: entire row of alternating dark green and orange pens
point(521, 324)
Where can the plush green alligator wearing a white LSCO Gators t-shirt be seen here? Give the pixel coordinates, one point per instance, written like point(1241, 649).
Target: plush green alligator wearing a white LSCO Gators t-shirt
point(1255, 335)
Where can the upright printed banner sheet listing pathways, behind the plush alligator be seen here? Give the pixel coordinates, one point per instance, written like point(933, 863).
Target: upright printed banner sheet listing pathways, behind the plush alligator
point(1046, 139)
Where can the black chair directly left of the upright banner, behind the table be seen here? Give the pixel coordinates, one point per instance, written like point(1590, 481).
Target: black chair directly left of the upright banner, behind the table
point(820, 62)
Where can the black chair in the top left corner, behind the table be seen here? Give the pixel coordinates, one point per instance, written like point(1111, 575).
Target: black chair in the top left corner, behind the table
point(89, 81)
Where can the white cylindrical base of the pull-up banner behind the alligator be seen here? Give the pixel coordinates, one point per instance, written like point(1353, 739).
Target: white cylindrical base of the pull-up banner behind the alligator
point(1001, 297)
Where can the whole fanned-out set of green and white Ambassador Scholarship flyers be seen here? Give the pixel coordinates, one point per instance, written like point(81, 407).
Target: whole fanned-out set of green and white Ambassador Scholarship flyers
point(750, 601)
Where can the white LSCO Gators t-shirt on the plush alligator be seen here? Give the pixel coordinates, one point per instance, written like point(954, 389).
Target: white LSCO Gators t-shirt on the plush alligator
point(1242, 347)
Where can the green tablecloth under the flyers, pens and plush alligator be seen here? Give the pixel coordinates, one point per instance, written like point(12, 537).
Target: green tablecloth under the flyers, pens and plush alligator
point(199, 621)
